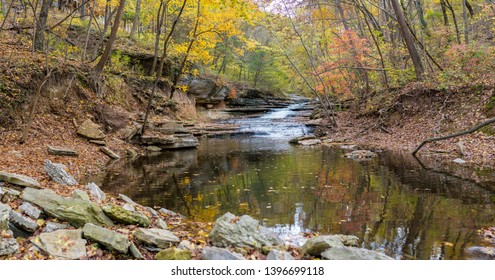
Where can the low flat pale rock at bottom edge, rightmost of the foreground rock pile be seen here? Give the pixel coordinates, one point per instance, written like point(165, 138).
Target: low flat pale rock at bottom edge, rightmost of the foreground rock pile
point(352, 253)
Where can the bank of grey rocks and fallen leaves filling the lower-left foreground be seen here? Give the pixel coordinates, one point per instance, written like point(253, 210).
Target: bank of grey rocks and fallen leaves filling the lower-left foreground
point(38, 223)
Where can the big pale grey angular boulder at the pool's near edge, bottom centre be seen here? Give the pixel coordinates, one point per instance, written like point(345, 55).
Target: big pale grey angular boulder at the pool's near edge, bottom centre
point(246, 232)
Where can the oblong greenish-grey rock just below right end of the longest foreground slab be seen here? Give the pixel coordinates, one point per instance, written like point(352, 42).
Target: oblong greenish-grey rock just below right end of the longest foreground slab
point(110, 239)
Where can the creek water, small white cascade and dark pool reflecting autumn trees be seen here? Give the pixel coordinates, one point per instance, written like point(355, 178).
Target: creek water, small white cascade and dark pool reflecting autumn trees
point(391, 203)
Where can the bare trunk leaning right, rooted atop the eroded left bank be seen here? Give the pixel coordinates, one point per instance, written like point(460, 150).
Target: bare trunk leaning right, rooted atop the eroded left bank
point(98, 69)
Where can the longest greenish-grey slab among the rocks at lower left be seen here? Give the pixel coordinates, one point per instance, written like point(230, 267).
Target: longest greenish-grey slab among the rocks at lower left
point(75, 211)
